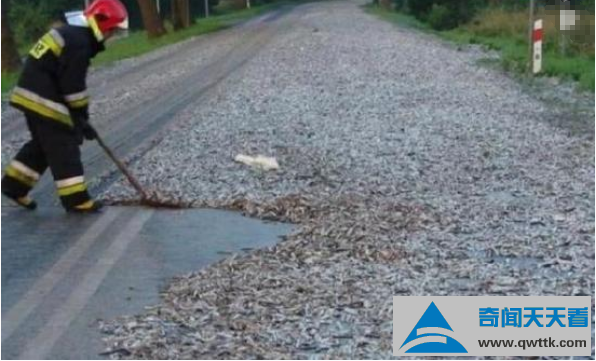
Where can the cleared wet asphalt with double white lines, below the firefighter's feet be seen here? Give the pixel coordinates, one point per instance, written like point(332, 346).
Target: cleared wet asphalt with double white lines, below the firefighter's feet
point(62, 273)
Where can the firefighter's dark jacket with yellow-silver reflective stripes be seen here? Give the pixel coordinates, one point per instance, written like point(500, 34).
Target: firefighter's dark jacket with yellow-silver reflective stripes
point(53, 82)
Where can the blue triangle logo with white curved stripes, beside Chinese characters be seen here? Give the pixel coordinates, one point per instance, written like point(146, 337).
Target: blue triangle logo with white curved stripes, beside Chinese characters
point(432, 334)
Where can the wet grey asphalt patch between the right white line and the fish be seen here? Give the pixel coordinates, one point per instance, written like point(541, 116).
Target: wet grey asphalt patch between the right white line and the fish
point(172, 243)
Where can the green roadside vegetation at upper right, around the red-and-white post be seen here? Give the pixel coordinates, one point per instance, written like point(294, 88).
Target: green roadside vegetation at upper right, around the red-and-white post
point(505, 30)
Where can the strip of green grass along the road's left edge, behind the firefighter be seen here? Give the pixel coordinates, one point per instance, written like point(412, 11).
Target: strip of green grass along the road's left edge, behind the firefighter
point(136, 43)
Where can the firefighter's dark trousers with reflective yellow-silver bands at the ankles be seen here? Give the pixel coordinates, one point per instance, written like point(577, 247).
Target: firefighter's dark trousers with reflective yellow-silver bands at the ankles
point(51, 146)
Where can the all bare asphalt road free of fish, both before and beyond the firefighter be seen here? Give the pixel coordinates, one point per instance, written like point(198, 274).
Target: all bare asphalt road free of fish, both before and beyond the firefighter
point(62, 273)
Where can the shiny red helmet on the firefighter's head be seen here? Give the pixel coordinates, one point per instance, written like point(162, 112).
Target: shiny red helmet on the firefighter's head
point(108, 15)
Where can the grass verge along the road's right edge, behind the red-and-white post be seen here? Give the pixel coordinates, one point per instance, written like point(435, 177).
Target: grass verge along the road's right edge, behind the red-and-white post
point(506, 33)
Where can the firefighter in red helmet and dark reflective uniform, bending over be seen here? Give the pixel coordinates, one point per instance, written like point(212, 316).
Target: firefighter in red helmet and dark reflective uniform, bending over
point(52, 94)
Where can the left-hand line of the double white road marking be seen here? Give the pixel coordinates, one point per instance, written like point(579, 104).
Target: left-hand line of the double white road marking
point(45, 284)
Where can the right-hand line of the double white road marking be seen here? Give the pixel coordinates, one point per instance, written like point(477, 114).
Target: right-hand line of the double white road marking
point(44, 341)
